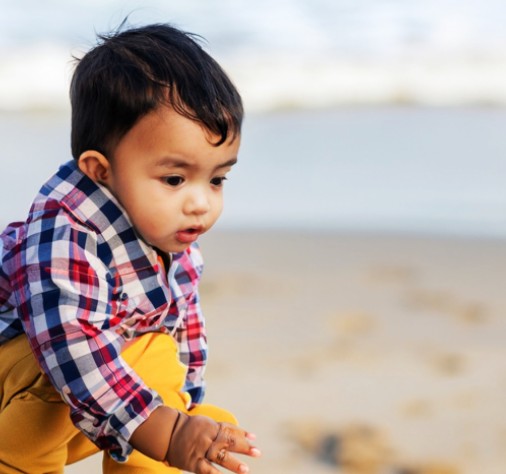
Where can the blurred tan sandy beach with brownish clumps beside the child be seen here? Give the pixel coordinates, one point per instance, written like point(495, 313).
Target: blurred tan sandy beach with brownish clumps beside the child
point(359, 353)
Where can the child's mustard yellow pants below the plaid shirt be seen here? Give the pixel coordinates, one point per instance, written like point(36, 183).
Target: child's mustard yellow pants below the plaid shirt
point(36, 433)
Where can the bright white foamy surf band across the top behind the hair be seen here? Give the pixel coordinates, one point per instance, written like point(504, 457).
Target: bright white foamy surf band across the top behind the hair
point(289, 53)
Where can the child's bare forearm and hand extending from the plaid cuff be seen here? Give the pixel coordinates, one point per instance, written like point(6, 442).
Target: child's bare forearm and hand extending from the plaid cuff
point(193, 443)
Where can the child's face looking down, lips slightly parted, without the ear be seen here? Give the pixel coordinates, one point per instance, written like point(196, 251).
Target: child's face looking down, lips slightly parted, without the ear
point(168, 176)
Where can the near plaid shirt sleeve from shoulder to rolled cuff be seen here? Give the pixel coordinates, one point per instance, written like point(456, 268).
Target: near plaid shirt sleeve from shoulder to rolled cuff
point(68, 310)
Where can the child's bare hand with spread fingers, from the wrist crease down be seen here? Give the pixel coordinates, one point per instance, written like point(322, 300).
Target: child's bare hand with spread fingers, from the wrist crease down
point(197, 442)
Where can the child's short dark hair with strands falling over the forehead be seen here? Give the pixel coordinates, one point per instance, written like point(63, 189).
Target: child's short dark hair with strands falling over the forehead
point(130, 73)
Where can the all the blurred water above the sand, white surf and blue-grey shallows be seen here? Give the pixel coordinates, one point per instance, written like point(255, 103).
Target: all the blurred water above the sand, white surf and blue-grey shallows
point(377, 115)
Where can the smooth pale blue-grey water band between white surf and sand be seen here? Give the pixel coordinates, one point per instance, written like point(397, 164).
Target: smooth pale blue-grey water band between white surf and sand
point(395, 169)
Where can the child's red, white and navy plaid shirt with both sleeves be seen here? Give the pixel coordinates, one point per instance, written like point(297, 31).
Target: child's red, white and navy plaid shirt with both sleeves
point(78, 280)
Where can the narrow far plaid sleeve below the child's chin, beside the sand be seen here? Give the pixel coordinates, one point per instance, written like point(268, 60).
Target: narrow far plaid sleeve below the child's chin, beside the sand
point(191, 333)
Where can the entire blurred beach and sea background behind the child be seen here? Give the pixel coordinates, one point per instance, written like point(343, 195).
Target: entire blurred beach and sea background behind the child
point(363, 230)
